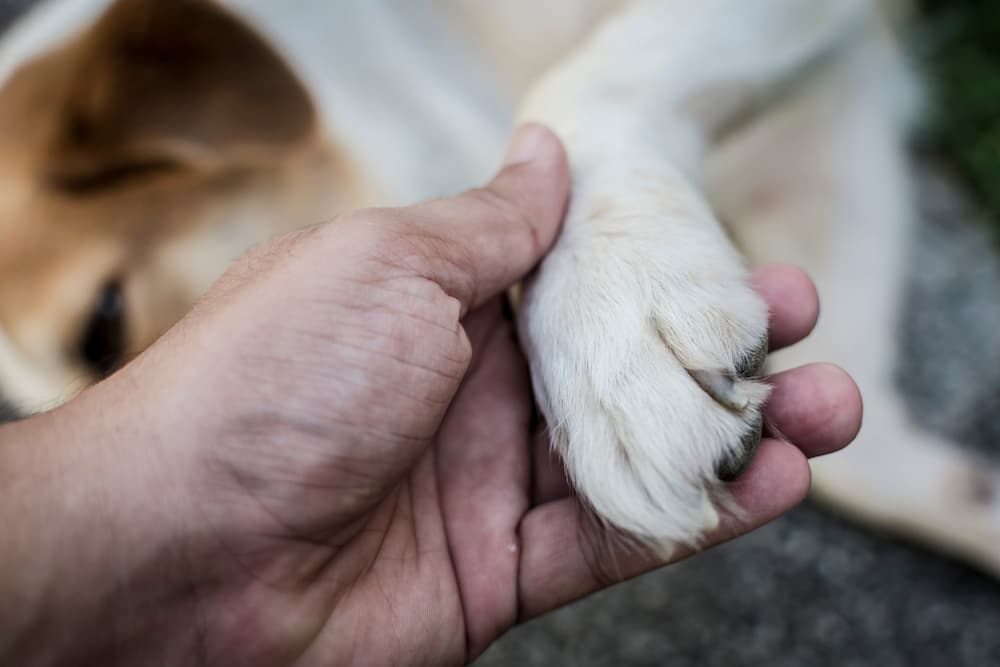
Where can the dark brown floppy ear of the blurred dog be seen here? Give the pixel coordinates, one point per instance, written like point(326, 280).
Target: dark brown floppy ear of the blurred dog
point(158, 84)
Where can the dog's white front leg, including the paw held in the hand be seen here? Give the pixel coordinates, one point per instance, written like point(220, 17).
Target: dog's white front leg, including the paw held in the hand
point(643, 333)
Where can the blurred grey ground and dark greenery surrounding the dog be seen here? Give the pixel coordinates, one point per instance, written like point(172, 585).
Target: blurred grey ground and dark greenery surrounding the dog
point(811, 589)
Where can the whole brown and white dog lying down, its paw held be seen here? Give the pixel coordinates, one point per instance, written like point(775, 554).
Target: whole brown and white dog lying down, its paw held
point(144, 145)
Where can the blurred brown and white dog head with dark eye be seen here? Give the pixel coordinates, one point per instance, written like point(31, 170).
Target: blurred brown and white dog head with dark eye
point(137, 160)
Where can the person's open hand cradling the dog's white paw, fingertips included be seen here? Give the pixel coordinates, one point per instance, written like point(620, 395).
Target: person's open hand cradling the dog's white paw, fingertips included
point(331, 459)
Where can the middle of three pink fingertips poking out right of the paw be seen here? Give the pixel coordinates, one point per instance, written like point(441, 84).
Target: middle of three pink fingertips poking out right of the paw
point(818, 407)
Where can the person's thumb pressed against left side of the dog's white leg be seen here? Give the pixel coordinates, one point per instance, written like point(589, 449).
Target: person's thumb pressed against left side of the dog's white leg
point(481, 242)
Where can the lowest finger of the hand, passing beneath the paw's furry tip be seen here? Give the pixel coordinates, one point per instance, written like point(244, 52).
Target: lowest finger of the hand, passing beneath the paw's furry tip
point(566, 555)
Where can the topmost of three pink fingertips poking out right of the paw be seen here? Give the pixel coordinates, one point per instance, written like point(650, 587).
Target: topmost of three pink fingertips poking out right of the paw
point(793, 302)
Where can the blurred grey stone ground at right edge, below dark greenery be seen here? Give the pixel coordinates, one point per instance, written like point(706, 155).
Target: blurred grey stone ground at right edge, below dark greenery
point(950, 350)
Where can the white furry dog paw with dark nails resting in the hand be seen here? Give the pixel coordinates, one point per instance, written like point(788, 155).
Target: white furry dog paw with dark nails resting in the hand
point(645, 341)
